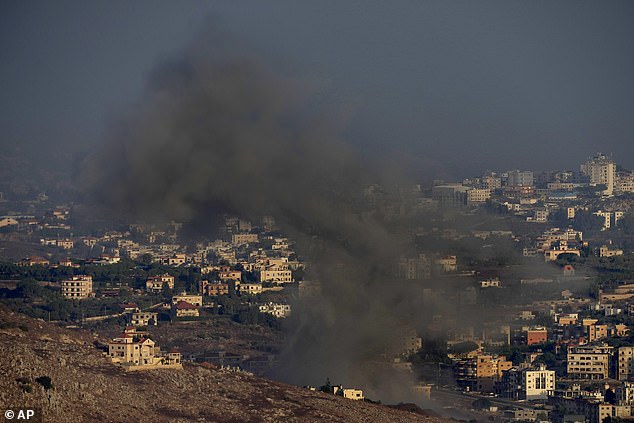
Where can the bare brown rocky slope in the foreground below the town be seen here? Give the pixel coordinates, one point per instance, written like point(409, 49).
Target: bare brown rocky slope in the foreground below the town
point(63, 373)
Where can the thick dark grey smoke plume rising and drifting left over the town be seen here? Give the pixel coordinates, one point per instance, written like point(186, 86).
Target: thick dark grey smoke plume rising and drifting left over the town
point(218, 134)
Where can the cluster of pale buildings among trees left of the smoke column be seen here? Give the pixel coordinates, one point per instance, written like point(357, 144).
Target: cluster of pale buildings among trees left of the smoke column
point(247, 260)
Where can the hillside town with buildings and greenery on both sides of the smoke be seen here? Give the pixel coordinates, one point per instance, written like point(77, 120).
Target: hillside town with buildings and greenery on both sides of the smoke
point(524, 284)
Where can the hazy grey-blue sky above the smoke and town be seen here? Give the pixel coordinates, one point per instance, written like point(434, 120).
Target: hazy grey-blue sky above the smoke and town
point(451, 85)
